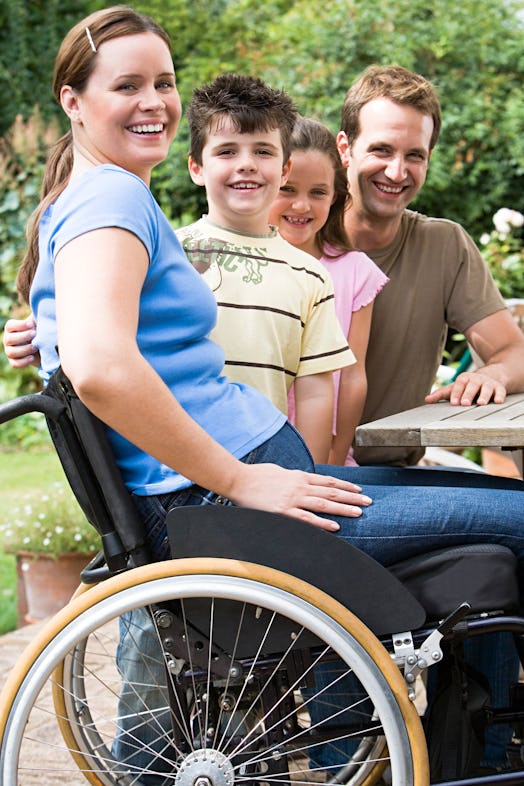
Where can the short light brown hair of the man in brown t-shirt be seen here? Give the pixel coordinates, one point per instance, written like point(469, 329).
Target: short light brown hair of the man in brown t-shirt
point(400, 86)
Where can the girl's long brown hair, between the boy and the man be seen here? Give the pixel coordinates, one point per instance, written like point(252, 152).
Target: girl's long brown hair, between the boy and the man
point(309, 134)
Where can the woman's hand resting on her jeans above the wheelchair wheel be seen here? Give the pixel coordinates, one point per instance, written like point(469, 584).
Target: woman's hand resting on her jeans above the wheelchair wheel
point(298, 494)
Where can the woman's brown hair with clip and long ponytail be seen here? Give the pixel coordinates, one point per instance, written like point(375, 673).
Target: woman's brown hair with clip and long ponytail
point(74, 64)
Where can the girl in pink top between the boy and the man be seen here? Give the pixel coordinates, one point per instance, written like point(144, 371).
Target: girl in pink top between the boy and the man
point(309, 214)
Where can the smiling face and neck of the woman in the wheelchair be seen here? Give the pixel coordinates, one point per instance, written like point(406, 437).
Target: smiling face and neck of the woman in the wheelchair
point(129, 112)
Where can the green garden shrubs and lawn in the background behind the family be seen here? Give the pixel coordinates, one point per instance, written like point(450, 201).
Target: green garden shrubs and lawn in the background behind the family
point(472, 51)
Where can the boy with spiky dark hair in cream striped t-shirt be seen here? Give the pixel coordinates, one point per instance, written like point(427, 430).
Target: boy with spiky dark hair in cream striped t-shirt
point(276, 317)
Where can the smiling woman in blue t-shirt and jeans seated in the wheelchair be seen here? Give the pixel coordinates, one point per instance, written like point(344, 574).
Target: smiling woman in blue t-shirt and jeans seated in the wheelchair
point(121, 310)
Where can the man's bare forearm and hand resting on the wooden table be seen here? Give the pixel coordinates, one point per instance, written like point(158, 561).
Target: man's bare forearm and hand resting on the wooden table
point(500, 344)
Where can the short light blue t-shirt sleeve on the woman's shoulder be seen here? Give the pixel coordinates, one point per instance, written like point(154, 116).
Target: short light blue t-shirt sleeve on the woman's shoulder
point(106, 196)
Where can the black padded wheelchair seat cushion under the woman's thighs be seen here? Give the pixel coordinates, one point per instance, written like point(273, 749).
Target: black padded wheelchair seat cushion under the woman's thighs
point(483, 574)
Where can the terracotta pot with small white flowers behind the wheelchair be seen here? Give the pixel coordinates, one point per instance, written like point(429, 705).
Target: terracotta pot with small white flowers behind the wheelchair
point(52, 541)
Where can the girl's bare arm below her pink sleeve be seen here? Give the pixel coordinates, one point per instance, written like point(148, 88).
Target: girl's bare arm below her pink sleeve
point(353, 387)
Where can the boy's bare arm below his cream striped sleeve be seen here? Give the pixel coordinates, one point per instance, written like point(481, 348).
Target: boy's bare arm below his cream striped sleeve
point(314, 412)
